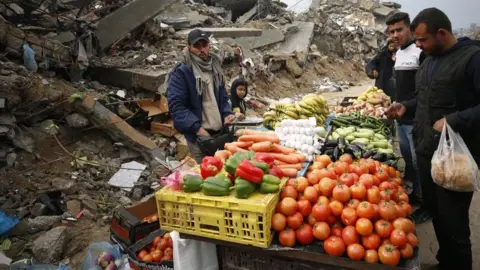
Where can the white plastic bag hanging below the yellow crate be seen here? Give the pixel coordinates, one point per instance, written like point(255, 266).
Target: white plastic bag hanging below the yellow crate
point(191, 254)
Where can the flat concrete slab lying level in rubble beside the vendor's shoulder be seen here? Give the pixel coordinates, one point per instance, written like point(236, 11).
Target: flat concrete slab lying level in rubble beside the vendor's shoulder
point(130, 77)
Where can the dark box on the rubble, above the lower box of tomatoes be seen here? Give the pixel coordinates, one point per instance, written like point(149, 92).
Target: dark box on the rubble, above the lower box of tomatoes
point(127, 226)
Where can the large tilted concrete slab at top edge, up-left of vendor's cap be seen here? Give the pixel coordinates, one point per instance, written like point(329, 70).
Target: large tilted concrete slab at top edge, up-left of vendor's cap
point(127, 18)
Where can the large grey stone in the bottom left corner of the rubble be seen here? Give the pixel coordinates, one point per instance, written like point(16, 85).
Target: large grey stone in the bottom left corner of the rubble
point(48, 248)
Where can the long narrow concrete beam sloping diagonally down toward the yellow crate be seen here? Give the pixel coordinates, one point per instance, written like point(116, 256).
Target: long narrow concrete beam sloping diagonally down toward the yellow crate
point(118, 129)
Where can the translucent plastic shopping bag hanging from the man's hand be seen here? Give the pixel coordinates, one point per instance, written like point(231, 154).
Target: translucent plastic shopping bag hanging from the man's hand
point(453, 167)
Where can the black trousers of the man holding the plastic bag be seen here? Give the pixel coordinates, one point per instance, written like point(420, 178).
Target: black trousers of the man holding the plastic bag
point(449, 210)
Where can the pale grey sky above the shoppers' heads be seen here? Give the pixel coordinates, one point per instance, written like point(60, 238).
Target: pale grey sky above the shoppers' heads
point(460, 12)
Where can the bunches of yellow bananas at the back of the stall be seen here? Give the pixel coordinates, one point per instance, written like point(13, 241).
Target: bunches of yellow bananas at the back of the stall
point(311, 105)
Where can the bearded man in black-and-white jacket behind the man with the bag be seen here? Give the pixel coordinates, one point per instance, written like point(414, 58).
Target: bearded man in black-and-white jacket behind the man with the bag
point(407, 60)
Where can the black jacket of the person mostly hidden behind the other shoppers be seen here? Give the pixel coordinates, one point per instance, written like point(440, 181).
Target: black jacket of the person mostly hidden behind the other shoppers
point(383, 64)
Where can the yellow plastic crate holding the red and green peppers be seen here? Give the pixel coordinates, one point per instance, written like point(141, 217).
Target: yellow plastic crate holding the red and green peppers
point(242, 221)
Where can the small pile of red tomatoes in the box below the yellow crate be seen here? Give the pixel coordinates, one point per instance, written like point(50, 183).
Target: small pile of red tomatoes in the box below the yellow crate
point(160, 250)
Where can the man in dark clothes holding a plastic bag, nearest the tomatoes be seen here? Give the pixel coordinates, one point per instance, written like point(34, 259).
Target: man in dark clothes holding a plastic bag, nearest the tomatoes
point(447, 100)
